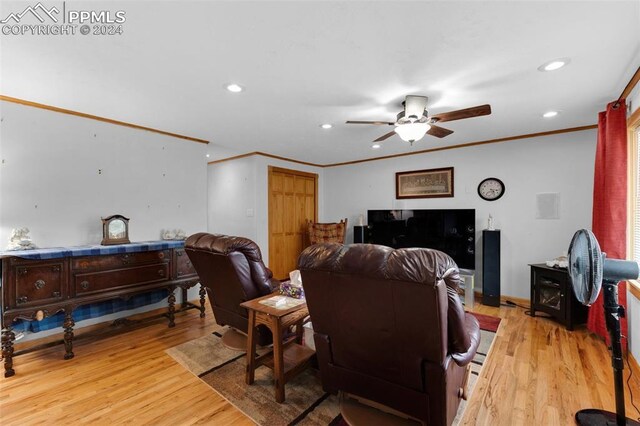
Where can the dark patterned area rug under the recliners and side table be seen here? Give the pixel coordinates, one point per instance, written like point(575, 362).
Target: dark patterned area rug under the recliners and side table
point(306, 403)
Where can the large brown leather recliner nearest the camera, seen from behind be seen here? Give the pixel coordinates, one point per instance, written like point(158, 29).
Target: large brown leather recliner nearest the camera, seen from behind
point(389, 326)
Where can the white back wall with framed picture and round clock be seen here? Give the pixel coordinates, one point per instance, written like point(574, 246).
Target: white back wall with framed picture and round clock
point(560, 163)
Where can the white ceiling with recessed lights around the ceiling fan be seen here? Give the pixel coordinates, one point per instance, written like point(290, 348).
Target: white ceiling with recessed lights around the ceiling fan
point(308, 63)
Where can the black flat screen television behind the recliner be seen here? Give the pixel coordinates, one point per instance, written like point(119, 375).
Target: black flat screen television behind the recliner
point(452, 231)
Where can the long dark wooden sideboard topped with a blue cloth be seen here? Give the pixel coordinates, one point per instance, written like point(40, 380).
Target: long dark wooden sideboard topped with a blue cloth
point(39, 283)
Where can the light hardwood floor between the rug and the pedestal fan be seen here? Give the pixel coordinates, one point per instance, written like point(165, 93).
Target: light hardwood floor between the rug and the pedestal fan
point(538, 373)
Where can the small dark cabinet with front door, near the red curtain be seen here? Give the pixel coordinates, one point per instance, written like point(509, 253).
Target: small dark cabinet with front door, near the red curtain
point(552, 293)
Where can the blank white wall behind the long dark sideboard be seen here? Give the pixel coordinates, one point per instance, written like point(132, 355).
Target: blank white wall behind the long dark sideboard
point(50, 181)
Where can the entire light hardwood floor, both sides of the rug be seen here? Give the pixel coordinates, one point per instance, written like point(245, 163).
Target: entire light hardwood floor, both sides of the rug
point(537, 373)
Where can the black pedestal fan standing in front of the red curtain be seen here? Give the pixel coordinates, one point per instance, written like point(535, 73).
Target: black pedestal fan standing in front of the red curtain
point(590, 270)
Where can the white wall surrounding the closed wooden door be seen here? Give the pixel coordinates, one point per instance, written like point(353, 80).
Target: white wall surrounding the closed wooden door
point(239, 185)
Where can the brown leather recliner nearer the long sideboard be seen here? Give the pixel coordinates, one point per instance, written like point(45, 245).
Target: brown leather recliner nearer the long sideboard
point(232, 272)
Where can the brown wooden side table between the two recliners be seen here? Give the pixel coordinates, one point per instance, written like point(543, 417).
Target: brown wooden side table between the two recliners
point(287, 359)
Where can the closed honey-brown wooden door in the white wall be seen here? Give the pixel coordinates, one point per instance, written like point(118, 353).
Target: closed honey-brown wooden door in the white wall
point(292, 201)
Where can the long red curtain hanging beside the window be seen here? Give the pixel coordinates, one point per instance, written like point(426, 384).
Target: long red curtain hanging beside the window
point(610, 202)
